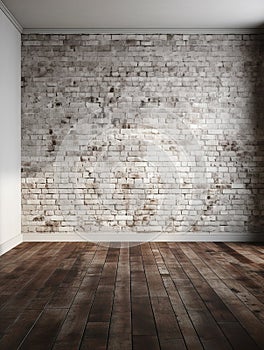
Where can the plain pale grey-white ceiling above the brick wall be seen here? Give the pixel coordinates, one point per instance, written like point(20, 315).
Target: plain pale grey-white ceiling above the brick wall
point(137, 13)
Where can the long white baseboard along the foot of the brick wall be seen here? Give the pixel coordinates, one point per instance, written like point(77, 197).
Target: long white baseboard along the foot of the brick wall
point(151, 237)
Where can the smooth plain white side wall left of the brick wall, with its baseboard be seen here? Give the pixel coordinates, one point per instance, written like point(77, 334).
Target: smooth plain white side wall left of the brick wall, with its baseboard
point(10, 135)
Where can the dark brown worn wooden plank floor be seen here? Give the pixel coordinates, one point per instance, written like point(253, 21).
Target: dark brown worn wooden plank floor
point(152, 296)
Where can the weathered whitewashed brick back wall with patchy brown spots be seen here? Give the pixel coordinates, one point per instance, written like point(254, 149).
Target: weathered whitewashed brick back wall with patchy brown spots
point(142, 133)
